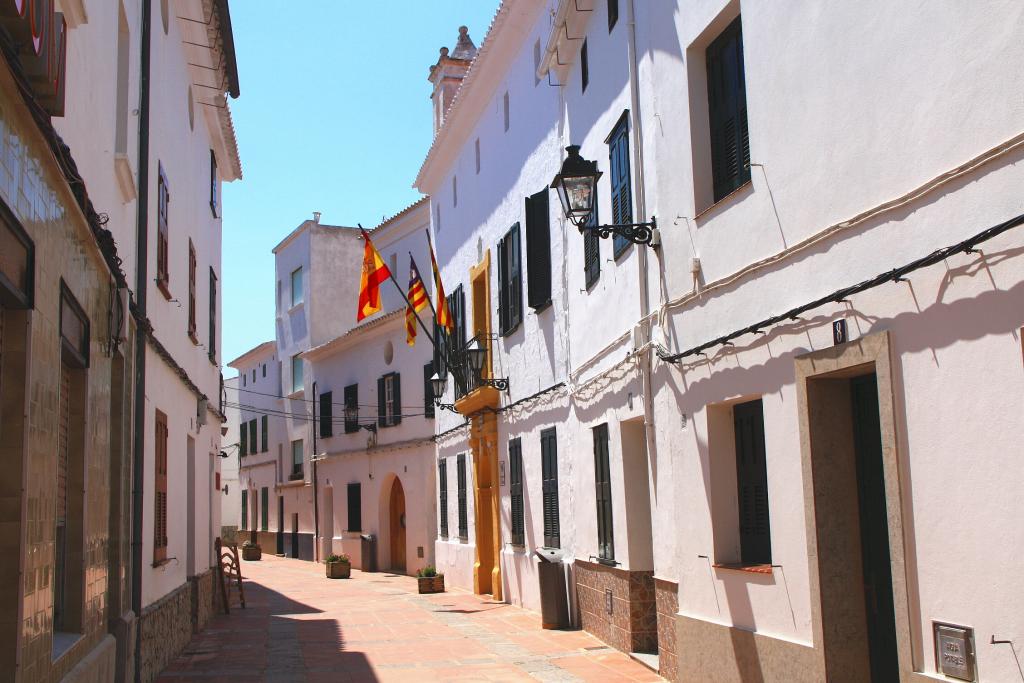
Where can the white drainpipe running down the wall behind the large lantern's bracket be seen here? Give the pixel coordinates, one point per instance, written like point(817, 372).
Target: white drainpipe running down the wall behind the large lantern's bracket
point(643, 252)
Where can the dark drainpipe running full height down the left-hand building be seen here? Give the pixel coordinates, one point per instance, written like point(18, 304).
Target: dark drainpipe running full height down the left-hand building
point(142, 282)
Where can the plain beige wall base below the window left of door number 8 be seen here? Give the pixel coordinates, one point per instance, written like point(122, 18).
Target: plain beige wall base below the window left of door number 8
point(720, 654)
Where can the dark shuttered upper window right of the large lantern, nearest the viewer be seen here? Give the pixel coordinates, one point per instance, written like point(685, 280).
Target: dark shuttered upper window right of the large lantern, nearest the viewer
point(731, 143)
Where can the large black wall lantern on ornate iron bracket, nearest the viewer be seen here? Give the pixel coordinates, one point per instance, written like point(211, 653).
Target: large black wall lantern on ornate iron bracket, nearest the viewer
point(577, 188)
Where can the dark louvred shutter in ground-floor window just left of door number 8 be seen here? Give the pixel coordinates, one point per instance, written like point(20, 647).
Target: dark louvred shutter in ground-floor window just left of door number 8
point(752, 483)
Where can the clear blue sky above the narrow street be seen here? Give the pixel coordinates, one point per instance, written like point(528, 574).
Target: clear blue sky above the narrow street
point(334, 117)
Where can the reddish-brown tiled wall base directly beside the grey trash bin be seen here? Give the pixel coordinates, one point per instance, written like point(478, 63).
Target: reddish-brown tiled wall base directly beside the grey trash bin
point(631, 624)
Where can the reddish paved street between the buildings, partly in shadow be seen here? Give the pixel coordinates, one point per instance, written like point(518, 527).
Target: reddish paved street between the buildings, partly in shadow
point(301, 626)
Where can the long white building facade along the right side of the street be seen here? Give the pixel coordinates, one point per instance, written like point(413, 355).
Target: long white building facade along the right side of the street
point(758, 461)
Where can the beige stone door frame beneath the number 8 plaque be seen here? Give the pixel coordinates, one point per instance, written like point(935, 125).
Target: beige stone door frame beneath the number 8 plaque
point(870, 354)
